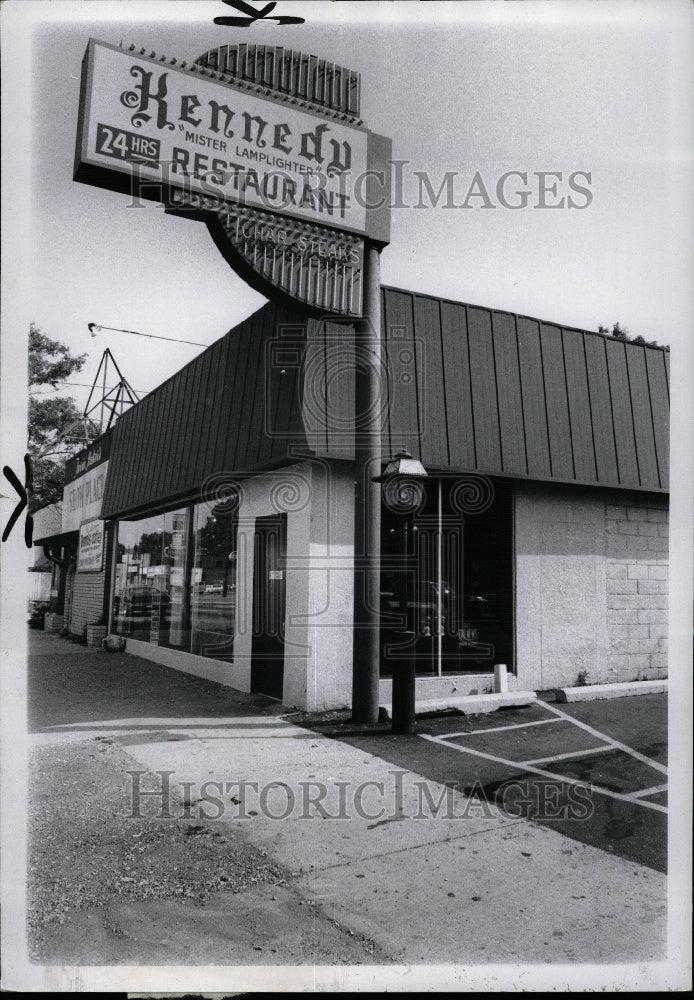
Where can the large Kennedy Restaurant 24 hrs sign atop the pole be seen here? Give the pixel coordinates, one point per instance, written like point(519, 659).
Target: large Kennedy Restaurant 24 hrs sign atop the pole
point(288, 185)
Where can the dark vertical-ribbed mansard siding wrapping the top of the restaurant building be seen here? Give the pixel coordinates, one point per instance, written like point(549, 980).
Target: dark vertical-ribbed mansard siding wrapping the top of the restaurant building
point(465, 388)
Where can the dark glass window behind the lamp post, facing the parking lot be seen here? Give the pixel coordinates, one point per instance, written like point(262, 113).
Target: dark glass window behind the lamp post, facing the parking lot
point(447, 584)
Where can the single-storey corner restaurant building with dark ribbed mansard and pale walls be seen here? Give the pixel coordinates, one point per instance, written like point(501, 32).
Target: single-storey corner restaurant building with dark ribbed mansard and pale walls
point(542, 542)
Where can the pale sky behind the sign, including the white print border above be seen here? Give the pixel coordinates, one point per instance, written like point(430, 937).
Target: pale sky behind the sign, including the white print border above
point(460, 87)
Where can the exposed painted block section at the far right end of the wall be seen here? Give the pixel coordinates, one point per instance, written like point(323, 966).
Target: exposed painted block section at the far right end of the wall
point(637, 588)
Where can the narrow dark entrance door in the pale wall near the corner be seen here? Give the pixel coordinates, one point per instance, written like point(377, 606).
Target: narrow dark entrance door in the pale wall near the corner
point(267, 650)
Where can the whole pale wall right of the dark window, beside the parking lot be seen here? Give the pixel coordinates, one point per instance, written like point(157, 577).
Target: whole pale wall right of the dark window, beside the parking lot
point(590, 586)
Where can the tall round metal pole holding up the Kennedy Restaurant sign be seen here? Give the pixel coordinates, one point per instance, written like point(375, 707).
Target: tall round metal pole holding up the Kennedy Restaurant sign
point(367, 508)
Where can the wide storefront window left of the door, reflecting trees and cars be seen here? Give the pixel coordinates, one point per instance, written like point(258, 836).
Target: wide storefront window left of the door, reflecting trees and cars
point(175, 580)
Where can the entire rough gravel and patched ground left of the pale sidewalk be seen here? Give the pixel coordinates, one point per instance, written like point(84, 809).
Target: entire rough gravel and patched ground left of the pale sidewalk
point(104, 889)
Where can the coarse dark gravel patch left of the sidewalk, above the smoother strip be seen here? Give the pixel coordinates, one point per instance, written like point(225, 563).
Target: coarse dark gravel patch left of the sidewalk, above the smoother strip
point(84, 851)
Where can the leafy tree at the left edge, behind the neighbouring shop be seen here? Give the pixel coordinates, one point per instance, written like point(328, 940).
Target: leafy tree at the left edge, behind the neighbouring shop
point(56, 429)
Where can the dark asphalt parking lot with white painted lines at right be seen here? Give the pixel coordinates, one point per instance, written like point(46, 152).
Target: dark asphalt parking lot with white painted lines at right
point(595, 771)
